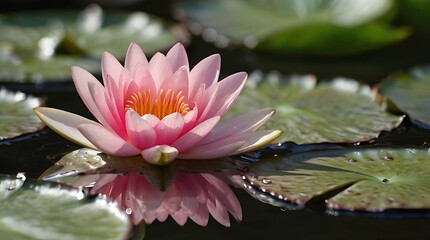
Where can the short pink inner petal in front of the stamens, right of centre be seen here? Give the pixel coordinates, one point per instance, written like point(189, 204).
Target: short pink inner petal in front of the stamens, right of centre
point(169, 128)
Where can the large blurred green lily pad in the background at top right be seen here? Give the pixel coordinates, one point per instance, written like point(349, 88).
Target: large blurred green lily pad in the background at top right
point(294, 26)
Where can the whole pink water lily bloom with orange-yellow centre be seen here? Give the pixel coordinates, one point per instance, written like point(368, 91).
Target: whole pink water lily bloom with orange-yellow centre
point(161, 109)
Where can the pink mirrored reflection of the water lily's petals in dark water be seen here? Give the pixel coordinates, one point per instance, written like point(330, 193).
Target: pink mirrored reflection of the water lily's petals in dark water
point(190, 195)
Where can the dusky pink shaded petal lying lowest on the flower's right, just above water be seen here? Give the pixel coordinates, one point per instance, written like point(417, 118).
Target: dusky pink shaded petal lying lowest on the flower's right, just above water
point(211, 150)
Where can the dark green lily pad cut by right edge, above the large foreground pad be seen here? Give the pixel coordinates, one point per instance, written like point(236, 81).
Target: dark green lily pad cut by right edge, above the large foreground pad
point(410, 93)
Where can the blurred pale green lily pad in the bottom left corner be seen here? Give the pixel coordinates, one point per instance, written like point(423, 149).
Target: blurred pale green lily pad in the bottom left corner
point(32, 209)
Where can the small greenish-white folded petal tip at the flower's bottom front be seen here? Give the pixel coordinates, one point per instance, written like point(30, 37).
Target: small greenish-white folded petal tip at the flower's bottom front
point(160, 154)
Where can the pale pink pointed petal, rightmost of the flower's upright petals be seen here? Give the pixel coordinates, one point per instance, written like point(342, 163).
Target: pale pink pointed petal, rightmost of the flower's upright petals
point(229, 90)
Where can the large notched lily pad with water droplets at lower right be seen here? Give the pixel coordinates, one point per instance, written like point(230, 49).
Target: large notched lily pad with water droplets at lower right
point(361, 179)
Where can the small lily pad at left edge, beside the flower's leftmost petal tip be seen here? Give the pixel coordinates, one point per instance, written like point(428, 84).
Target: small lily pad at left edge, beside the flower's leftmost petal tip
point(16, 114)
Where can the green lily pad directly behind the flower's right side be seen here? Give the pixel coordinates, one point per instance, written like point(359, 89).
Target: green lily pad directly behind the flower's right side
point(341, 110)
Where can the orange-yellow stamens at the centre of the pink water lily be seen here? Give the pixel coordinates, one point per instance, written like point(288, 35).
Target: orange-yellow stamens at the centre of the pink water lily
point(167, 102)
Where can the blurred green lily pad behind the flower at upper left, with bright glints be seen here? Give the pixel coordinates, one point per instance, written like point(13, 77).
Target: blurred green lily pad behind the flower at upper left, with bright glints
point(43, 45)
